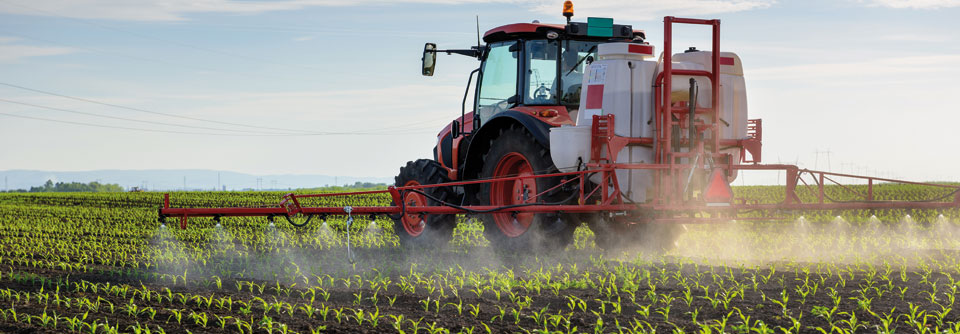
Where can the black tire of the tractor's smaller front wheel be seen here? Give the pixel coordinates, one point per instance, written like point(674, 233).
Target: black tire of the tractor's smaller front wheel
point(438, 229)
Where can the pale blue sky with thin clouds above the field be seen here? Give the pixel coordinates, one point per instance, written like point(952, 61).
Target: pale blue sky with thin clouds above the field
point(334, 87)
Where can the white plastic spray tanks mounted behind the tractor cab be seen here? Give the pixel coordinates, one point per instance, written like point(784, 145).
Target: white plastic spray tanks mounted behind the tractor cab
point(620, 82)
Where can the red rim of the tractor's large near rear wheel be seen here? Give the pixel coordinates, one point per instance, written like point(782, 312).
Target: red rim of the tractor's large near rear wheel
point(510, 192)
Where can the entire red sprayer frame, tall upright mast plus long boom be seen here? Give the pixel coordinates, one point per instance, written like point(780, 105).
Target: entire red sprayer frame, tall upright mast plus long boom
point(672, 199)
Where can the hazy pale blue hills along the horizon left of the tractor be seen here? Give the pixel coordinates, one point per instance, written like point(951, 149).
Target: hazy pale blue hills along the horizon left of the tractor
point(196, 179)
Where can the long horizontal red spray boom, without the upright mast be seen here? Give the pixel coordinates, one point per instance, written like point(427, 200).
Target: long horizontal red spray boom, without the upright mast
point(609, 201)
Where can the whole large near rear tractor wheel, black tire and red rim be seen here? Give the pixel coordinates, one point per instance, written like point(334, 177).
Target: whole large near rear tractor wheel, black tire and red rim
point(516, 153)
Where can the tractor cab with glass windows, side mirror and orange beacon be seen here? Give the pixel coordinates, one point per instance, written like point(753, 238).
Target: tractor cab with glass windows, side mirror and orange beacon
point(535, 65)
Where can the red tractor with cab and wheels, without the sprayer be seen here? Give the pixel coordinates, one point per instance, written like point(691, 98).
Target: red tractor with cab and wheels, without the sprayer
point(530, 80)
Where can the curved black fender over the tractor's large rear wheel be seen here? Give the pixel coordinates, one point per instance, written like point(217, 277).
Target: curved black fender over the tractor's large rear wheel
point(480, 142)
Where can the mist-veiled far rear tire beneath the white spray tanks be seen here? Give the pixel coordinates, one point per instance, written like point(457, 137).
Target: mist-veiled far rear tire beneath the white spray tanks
point(615, 238)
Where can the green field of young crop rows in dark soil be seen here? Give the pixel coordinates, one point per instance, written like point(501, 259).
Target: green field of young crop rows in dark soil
point(101, 263)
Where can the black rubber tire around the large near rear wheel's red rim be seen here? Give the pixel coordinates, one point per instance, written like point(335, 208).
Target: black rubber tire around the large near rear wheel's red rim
point(546, 232)
